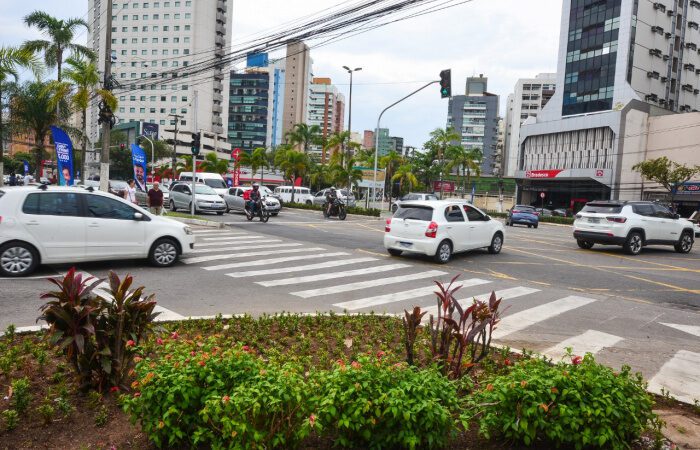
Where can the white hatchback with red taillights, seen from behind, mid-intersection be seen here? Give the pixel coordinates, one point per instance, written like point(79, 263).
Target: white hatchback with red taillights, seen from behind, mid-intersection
point(441, 228)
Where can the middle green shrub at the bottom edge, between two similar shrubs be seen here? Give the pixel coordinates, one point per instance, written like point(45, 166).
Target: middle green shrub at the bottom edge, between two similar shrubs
point(371, 403)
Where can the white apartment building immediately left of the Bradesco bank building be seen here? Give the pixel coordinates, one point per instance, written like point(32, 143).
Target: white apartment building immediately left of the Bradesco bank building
point(528, 98)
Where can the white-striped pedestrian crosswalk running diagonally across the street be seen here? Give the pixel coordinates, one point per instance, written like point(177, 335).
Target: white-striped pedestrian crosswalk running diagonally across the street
point(317, 278)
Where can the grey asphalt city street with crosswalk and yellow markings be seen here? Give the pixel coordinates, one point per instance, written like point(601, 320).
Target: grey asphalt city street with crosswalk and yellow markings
point(642, 311)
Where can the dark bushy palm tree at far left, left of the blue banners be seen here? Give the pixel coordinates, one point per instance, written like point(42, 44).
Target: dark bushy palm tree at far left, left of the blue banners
point(32, 113)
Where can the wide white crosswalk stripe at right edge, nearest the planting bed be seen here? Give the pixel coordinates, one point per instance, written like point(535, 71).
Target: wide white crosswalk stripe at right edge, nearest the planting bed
point(680, 376)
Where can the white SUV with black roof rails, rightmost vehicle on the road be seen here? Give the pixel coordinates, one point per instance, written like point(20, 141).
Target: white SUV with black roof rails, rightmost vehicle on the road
point(633, 225)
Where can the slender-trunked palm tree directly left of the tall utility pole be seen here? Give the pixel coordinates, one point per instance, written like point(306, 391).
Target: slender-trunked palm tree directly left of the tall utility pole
point(79, 89)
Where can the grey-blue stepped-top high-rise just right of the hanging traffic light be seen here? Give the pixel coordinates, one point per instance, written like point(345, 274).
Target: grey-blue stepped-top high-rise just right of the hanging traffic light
point(474, 117)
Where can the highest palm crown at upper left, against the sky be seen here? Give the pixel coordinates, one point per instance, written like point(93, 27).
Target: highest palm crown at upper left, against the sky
point(60, 34)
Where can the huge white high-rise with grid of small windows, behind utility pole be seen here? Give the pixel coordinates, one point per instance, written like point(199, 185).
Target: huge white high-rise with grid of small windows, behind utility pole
point(153, 45)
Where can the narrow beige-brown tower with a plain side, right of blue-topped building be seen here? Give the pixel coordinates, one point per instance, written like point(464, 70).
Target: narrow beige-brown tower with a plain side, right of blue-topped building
point(298, 74)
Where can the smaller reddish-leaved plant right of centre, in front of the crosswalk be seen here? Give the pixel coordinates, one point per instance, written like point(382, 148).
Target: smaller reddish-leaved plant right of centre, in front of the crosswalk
point(460, 333)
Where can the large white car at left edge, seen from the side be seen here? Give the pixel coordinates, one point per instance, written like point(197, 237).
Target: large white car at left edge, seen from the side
point(57, 225)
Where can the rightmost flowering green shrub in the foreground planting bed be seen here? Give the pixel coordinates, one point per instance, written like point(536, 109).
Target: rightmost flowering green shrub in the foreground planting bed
point(581, 405)
